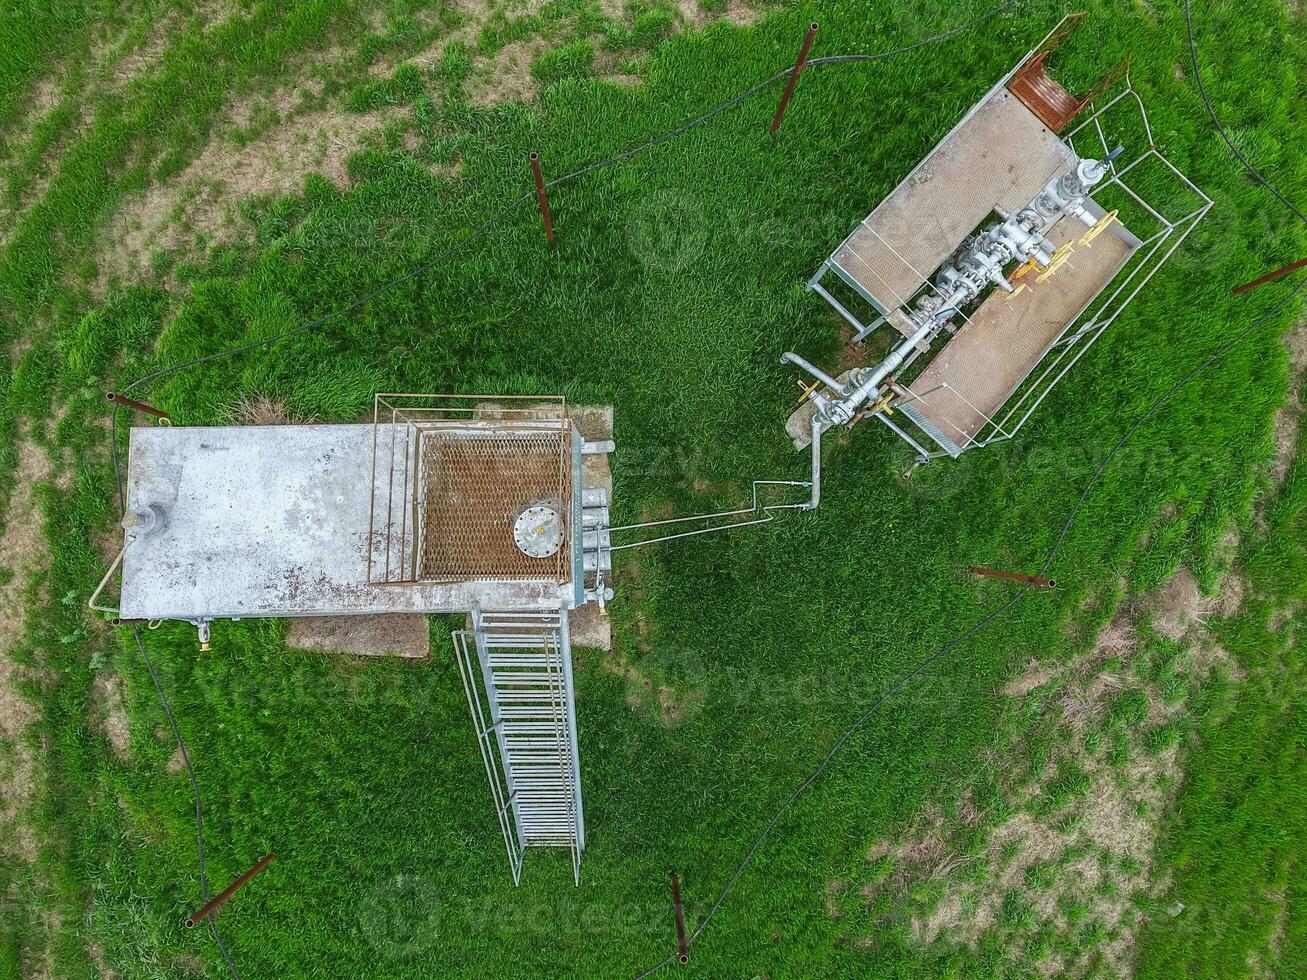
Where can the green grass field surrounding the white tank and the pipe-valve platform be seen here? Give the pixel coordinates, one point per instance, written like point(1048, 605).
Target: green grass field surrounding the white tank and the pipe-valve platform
point(675, 284)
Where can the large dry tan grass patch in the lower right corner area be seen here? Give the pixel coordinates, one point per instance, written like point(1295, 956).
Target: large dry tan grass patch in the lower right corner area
point(1082, 836)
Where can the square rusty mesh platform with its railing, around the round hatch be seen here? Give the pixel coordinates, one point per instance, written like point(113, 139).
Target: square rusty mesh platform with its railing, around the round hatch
point(452, 475)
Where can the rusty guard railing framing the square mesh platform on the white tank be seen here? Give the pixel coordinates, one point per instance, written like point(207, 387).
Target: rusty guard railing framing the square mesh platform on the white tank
point(401, 425)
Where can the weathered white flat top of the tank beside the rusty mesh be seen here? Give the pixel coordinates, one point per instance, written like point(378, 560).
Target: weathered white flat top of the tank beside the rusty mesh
point(274, 522)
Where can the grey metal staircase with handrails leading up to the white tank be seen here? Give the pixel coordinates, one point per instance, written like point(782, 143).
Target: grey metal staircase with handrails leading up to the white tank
point(517, 674)
